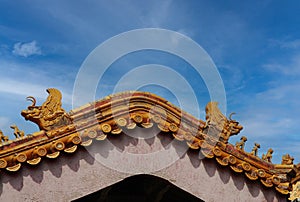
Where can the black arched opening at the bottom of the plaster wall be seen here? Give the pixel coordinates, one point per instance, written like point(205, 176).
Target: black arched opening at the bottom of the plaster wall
point(140, 188)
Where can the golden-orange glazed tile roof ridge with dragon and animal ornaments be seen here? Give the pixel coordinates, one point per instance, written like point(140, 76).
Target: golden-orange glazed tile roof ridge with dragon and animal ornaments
point(65, 132)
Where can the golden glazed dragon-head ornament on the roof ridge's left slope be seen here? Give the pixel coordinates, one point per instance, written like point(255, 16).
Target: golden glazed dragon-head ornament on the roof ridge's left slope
point(50, 115)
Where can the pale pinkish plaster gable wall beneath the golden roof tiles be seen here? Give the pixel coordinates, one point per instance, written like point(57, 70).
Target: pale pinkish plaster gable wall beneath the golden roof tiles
point(71, 176)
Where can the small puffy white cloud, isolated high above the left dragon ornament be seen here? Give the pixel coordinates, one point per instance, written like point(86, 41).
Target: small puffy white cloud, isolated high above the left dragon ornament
point(27, 49)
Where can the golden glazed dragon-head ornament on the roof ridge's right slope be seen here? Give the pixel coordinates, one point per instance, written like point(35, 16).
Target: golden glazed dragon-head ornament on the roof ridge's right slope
point(219, 123)
